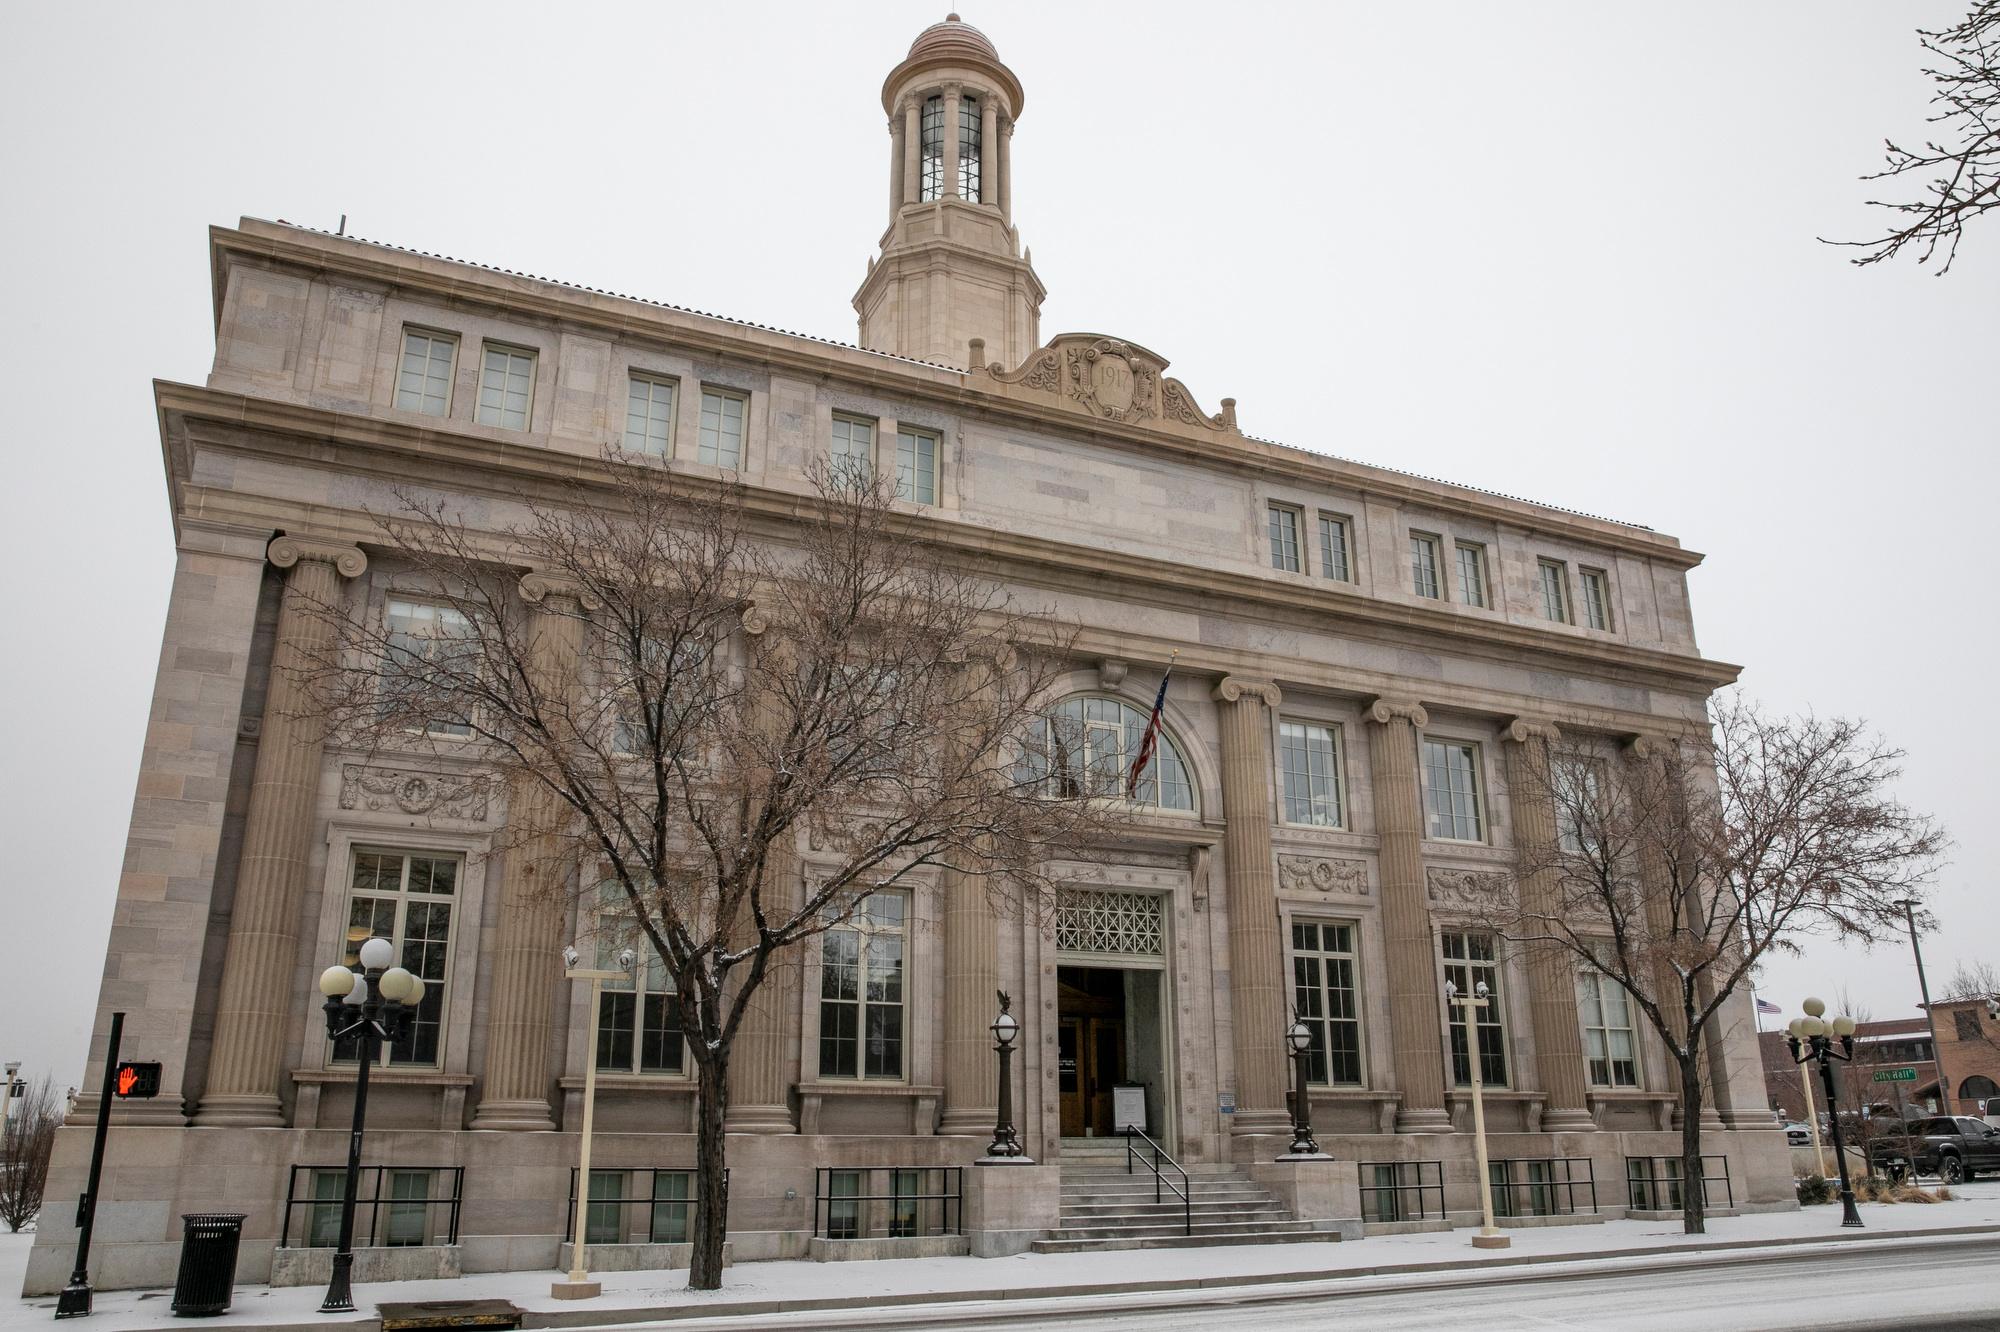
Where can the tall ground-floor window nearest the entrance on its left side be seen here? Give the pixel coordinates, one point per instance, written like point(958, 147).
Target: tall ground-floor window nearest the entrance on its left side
point(861, 991)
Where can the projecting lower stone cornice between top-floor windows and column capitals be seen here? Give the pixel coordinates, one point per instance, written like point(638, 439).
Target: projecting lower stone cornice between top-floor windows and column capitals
point(401, 453)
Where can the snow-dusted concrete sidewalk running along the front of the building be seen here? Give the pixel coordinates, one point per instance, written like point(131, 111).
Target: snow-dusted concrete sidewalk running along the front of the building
point(947, 1289)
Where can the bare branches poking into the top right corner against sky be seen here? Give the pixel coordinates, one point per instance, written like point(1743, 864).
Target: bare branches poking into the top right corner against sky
point(1965, 157)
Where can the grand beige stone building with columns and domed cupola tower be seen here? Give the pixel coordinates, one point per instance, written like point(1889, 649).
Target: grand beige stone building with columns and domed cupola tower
point(1367, 657)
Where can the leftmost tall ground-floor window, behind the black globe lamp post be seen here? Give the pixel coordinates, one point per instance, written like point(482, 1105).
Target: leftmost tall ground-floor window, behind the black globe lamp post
point(407, 899)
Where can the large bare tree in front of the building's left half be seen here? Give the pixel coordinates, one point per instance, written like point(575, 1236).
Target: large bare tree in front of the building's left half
point(701, 685)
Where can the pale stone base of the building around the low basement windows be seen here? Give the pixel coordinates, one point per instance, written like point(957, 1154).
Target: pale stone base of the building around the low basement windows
point(515, 1201)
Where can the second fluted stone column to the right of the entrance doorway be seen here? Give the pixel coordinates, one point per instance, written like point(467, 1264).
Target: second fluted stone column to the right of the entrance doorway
point(1415, 1015)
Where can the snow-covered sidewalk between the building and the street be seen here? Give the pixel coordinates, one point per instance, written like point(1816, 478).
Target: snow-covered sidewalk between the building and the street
point(773, 1287)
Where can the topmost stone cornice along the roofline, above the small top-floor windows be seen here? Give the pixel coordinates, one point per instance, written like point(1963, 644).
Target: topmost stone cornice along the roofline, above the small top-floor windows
point(623, 317)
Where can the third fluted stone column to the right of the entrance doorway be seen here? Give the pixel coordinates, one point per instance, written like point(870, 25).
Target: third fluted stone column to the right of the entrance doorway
point(1559, 1045)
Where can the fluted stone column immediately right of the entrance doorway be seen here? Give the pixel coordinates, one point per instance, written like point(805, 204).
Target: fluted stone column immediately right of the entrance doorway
point(1257, 951)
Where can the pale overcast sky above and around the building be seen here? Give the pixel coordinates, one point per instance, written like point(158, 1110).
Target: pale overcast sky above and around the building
point(1559, 251)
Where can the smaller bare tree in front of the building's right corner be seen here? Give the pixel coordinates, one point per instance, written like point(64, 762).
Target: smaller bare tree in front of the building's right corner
point(1685, 863)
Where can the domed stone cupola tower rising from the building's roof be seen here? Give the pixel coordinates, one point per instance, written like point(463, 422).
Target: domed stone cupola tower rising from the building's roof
point(951, 265)
